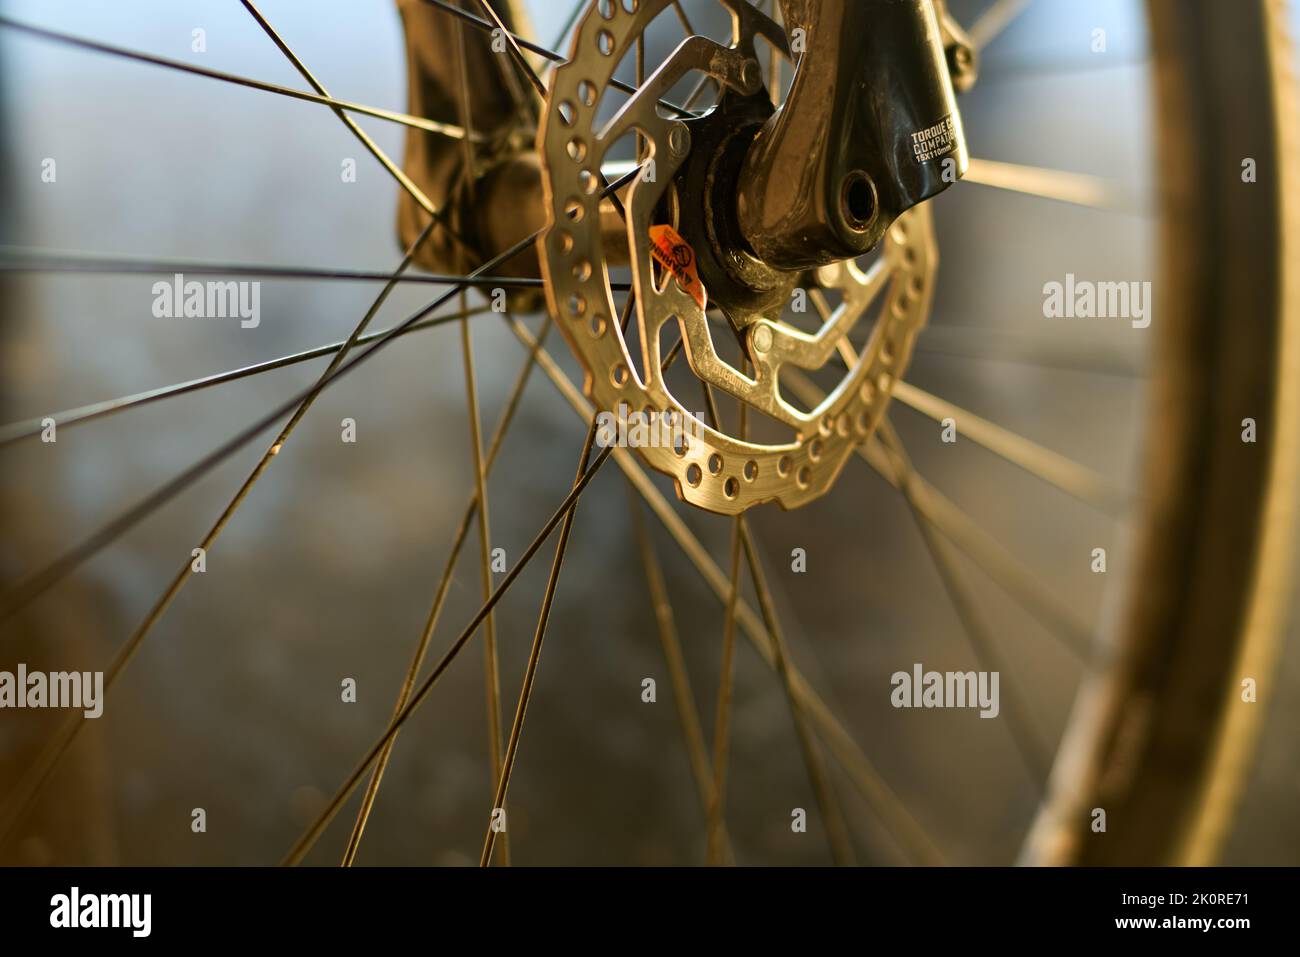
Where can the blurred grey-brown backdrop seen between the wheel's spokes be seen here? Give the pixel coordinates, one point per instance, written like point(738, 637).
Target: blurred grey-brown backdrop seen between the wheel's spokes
point(327, 573)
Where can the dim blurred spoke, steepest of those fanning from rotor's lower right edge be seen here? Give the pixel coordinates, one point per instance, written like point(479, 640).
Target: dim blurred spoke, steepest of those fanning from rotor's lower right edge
point(1019, 717)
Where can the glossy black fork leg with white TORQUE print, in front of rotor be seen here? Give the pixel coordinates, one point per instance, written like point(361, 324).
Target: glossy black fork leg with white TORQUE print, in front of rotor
point(870, 129)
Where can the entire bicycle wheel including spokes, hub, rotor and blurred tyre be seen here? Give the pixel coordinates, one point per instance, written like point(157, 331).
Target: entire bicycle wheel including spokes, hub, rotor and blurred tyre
point(1160, 737)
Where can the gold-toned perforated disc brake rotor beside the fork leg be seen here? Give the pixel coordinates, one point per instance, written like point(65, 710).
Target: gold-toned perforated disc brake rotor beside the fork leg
point(712, 469)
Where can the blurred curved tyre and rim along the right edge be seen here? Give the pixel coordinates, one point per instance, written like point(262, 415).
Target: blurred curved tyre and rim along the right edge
point(1168, 730)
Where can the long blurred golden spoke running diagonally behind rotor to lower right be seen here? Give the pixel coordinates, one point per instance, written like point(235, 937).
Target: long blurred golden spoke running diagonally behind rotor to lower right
point(864, 776)
